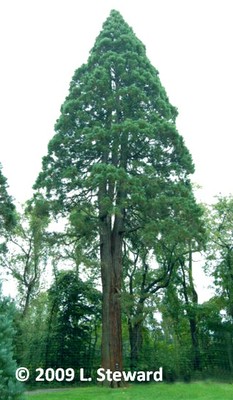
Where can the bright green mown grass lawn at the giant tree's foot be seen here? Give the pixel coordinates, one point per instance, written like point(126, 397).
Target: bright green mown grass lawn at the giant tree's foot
point(159, 391)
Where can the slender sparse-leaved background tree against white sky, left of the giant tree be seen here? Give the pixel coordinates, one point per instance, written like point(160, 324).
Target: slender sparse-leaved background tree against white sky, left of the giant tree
point(27, 250)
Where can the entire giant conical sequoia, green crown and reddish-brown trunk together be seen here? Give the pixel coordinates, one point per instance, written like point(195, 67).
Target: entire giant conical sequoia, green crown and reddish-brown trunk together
point(116, 163)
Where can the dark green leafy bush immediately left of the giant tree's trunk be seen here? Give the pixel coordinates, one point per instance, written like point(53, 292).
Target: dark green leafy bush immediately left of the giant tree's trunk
point(73, 321)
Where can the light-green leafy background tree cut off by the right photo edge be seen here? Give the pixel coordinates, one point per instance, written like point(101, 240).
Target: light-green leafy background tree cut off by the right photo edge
point(219, 264)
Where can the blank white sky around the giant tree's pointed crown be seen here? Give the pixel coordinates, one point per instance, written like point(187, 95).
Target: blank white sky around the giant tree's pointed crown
point(44, 41)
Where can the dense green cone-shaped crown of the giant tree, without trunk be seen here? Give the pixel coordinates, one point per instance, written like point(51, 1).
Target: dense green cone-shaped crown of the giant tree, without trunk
point(116, 128)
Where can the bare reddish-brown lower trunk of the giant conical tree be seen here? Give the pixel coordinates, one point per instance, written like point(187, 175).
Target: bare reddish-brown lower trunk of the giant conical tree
point(111, 272)
